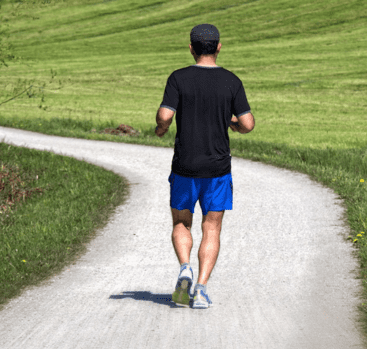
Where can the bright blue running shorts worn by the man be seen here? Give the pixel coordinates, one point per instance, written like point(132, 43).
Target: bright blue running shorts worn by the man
point(214, 194)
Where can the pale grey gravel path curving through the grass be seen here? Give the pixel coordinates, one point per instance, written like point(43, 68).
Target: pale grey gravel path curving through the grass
point(284, 277)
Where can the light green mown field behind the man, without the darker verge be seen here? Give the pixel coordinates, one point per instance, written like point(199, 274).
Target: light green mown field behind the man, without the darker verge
point(301, 64)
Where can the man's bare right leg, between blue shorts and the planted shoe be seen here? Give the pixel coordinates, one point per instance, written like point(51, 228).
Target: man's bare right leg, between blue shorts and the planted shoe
point(210, 244)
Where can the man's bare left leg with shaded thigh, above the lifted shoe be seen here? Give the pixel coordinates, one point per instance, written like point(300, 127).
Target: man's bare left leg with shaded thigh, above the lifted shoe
point(181, 234)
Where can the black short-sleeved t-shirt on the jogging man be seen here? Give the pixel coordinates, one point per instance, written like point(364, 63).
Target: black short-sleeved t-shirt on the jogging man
point(204, 99)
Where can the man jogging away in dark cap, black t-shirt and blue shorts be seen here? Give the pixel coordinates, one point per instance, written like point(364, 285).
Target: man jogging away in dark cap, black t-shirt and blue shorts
point(204, 97)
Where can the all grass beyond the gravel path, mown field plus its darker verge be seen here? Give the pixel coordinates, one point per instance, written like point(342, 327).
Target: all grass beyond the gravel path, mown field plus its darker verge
point(97, 64)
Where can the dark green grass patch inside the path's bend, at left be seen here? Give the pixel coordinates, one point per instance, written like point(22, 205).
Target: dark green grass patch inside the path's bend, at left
point(51, 227)
